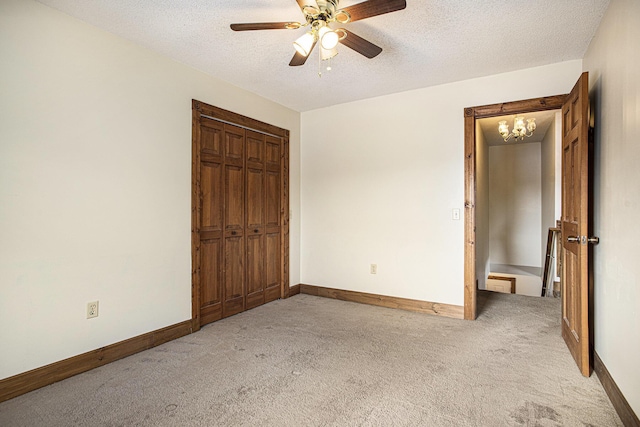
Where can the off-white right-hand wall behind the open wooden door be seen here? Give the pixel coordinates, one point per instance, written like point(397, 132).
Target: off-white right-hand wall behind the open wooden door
point(613, 62)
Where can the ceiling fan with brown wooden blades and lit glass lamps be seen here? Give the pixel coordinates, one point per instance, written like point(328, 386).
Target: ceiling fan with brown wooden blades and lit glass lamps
point(319, 15)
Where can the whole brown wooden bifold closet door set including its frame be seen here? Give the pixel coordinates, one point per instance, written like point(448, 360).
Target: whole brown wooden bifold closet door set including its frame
point(240, 234)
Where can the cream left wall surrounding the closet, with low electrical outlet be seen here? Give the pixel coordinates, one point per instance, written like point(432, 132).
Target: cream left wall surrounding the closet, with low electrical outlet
point(95, 181)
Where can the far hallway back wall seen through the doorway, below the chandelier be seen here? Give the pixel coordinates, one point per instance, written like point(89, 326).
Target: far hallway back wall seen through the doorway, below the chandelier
point(514, 204)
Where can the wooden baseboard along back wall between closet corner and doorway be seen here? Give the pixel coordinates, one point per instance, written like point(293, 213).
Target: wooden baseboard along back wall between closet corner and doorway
point(439, 309)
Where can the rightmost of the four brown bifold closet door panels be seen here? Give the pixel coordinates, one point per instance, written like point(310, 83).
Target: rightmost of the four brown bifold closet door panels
point(273, 222)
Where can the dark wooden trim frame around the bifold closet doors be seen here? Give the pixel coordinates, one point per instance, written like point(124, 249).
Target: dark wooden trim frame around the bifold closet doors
point(200, 109)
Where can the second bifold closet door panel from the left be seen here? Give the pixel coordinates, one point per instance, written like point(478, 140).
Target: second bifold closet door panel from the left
point(234, 210)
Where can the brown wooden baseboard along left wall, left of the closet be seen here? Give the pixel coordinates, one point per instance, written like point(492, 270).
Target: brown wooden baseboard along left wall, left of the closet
point(31, 380)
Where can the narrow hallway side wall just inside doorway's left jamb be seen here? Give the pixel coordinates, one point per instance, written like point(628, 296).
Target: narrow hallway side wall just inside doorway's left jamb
point(483, 262)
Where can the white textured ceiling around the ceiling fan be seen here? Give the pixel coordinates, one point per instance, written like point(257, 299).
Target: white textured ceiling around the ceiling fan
point(430, 42)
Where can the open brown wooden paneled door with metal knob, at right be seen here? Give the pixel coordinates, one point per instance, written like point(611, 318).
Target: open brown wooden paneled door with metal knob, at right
point(576, 213)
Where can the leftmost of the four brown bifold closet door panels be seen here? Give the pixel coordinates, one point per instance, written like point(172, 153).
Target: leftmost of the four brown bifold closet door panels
point(211, 219)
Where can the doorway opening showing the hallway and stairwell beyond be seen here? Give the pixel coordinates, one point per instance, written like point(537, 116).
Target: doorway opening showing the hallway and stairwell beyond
point(518, 198)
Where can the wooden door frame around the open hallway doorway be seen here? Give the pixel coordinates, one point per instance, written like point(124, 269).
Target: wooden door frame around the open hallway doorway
point(471, 114)
